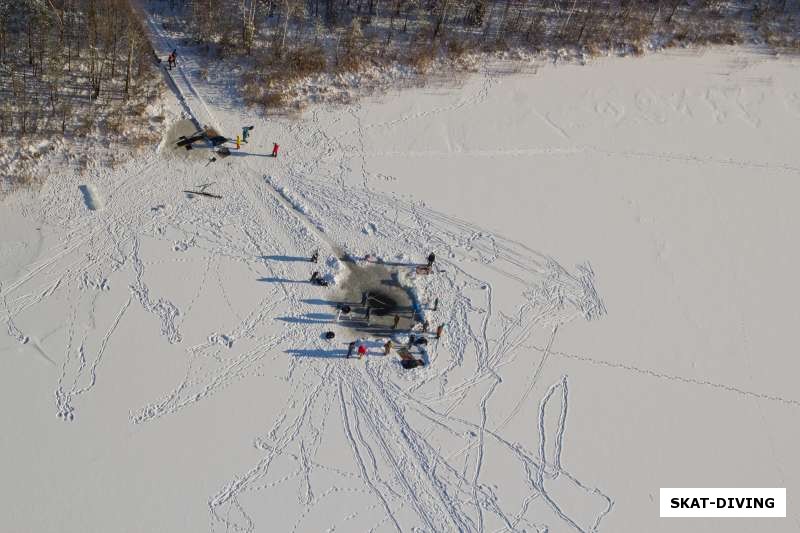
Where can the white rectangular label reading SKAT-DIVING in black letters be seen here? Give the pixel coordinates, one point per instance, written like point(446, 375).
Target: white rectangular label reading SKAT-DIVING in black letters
point(731, 503)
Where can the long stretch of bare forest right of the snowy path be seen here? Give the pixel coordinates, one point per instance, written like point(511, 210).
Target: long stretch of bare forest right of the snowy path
point(288, 39)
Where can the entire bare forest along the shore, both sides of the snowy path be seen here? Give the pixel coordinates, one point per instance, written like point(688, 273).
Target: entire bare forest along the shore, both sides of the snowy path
point(78, 66)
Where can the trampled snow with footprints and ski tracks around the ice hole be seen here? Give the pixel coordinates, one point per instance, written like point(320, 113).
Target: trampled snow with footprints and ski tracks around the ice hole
point(406, 476)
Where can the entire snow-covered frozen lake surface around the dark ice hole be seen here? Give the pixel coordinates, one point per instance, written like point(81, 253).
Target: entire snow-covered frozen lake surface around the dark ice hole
point(617, 269)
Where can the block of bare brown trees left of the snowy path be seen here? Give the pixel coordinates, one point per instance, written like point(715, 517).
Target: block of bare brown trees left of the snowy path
point(73, 67)
